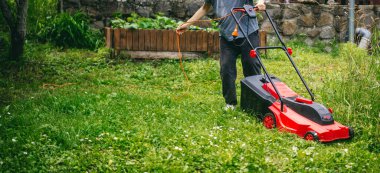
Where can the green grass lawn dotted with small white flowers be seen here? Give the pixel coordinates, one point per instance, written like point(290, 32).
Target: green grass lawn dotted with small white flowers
point(143, 116)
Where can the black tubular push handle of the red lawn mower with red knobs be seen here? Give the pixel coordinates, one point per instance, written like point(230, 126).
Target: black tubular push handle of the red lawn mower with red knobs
point(283, 47)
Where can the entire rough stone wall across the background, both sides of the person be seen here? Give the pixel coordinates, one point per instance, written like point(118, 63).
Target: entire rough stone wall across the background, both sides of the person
point(314, 21)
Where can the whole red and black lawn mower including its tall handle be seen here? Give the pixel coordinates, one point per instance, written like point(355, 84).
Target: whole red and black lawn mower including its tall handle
point(280, 107)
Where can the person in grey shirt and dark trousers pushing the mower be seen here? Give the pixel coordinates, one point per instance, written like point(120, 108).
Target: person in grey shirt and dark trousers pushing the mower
point(230, 46)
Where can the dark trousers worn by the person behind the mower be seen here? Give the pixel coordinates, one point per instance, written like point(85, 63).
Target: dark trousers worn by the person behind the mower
point(229, 51)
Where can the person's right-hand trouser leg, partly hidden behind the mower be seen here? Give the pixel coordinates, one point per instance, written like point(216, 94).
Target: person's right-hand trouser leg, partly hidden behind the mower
point(251, 66)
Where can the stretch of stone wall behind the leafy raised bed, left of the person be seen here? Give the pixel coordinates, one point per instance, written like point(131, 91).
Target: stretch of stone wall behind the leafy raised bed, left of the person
point(104, 8)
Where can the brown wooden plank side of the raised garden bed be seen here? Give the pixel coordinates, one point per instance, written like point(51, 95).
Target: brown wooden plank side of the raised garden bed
point(165, 40)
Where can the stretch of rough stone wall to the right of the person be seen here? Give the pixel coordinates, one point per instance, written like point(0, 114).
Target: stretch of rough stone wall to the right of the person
point(322, 22)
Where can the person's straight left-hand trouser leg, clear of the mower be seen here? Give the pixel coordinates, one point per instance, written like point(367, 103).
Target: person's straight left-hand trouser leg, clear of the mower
point(228, 54)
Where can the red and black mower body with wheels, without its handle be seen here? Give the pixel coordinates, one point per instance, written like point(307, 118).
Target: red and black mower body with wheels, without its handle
point(301, 116)
